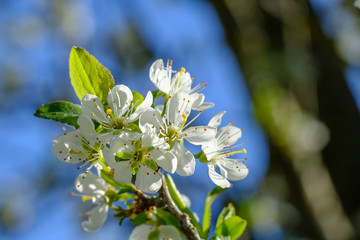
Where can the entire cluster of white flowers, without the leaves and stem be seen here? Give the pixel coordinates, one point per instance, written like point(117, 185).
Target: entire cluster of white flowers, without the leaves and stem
point(137, 140)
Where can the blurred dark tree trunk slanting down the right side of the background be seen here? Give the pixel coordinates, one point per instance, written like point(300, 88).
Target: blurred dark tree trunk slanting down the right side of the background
point(297, 83)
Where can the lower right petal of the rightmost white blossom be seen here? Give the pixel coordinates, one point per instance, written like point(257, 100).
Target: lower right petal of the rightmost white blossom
point(232, 169)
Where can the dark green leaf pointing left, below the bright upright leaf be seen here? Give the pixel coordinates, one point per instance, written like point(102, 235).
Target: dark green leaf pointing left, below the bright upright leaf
point(60, 111)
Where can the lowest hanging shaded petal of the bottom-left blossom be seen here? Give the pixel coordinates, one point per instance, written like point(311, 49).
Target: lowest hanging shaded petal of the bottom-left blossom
point(96, 217)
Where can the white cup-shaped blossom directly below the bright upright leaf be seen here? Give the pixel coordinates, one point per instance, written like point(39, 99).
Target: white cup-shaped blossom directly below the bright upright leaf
point(121, 111)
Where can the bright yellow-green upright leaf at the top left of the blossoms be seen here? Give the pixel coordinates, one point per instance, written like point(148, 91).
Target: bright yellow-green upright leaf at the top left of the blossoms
point(88, 76)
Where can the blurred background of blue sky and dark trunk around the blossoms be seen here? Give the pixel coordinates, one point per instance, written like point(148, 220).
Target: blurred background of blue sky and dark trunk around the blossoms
point(286, 71)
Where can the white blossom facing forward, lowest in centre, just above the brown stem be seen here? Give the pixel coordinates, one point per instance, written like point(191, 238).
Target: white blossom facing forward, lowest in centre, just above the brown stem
point(140, 157)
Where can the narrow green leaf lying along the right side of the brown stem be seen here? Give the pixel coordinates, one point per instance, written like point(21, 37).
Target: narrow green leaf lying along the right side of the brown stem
point(176, 197)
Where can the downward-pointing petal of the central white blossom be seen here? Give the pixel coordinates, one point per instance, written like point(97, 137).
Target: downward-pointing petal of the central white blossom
point(186, 161)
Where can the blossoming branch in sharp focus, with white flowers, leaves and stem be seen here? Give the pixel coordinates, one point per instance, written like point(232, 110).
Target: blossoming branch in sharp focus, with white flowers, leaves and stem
point(128, 147)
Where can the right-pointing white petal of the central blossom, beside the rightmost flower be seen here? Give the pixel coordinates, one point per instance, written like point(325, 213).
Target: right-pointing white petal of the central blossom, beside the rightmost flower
point(199, 135)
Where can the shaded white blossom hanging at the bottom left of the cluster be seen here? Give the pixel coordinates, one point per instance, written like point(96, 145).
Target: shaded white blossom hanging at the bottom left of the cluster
point(93, 187)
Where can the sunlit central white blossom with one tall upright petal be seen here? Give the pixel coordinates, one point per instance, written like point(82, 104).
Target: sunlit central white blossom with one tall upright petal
point(173, 127)
